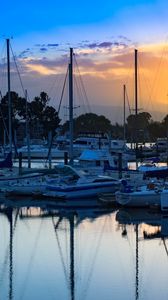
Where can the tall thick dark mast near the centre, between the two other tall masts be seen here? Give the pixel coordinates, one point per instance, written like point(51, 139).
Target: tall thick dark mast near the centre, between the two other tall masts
point(71, 105)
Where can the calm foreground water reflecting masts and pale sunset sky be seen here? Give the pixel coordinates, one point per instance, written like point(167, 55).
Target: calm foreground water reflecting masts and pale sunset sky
point(86, 253)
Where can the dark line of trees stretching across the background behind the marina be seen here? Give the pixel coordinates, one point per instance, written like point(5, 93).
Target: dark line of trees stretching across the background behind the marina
point(38, 111)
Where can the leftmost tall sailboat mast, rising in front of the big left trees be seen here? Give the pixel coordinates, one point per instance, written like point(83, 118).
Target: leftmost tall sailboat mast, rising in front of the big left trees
point(9, 97)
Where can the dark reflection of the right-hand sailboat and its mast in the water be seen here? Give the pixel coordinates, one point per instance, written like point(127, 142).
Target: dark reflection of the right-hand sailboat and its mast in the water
point(153, 225)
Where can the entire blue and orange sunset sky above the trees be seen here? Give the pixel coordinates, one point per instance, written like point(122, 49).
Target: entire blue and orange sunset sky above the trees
point(104, 37)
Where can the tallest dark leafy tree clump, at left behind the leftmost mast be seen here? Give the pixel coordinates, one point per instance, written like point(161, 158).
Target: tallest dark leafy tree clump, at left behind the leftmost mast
point(39, 112)
